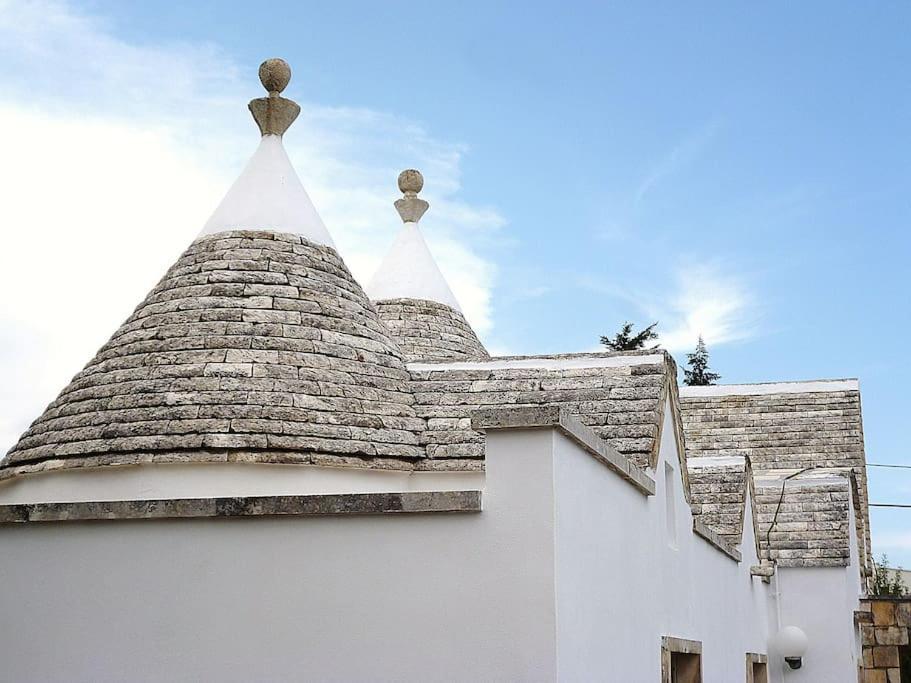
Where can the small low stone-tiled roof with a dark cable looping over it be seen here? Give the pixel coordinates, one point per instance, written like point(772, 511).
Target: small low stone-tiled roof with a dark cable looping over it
point(813, 524)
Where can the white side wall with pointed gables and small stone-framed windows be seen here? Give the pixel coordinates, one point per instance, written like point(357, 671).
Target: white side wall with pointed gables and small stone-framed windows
point(623, 582)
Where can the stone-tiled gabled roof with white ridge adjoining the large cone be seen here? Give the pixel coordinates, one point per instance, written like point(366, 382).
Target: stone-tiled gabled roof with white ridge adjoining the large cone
point(620, 396)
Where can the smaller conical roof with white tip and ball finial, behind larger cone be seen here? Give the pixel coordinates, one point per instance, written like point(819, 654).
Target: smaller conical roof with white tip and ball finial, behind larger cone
point(412, 296)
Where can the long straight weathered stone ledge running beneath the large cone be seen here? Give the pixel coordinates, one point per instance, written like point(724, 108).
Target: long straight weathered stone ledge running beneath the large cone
point(250, 506)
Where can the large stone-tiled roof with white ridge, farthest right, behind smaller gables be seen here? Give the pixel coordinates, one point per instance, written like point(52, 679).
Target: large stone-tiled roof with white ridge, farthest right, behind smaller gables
point(782, 425)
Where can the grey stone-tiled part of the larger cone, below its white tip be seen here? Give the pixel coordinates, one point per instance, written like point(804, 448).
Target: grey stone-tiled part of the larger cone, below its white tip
point(255, 346)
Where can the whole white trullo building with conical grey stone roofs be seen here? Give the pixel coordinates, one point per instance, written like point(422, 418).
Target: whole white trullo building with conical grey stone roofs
point(267, 474)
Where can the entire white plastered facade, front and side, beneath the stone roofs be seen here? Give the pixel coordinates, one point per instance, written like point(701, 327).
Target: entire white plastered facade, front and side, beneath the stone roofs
point(569, 573)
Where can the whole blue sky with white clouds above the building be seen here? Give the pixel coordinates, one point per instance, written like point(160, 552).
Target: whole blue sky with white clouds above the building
point(734, 169)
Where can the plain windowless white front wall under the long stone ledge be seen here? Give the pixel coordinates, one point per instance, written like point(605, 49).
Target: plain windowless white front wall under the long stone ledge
point(399, 597)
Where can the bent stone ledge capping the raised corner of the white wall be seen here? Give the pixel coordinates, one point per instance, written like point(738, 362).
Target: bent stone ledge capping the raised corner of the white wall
point(557, 418)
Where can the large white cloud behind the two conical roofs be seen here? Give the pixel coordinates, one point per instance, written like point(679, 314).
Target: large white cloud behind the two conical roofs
point(113, 155)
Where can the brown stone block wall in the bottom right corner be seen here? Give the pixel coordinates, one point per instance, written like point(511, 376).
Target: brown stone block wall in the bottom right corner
point(885, 626)
